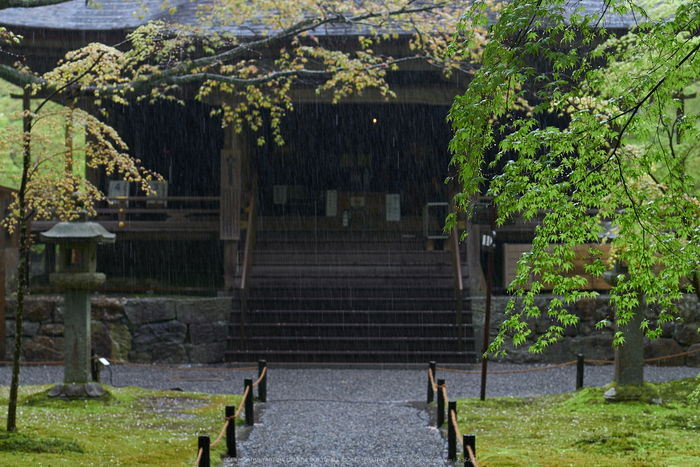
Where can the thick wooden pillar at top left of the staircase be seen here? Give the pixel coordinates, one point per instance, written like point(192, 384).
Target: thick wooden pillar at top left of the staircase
point(230, 203)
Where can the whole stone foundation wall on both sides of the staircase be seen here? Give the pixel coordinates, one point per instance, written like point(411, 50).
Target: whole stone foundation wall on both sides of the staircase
point(194, 330)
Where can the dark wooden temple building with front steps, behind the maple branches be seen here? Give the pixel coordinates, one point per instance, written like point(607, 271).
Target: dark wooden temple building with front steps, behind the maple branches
point(331, 246)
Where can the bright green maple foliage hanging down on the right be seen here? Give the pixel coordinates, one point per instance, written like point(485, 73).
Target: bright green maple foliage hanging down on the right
point(622, 156)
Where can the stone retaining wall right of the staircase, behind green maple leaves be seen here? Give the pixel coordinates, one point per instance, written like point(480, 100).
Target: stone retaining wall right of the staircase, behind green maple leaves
point(595, 344)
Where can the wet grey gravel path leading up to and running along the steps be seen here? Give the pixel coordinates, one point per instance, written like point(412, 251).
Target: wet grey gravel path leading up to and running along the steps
point(349, 417)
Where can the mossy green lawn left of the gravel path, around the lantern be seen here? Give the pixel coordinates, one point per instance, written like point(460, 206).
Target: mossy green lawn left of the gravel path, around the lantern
point(131, 427)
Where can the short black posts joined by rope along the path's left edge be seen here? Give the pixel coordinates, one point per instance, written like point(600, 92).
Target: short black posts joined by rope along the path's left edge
point(229, 429)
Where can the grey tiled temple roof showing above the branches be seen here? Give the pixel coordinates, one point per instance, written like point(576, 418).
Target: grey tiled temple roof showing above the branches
point(120, 15)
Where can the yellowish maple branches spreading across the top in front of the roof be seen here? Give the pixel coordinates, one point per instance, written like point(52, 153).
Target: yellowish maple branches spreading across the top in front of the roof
point(251, 54)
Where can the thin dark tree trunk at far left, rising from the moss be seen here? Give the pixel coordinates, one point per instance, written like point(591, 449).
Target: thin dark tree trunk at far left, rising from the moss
point(22, 268)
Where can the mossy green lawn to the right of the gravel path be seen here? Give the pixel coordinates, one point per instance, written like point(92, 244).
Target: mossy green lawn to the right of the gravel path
point(580, 429)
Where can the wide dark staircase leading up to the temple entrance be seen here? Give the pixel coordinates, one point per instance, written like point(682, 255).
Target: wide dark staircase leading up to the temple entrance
point(349, 299)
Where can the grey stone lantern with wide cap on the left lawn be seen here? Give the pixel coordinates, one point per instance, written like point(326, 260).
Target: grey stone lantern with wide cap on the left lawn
point(77, 276)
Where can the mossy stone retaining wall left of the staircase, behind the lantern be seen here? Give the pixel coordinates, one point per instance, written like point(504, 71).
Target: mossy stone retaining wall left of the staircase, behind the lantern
point(142, 330)
